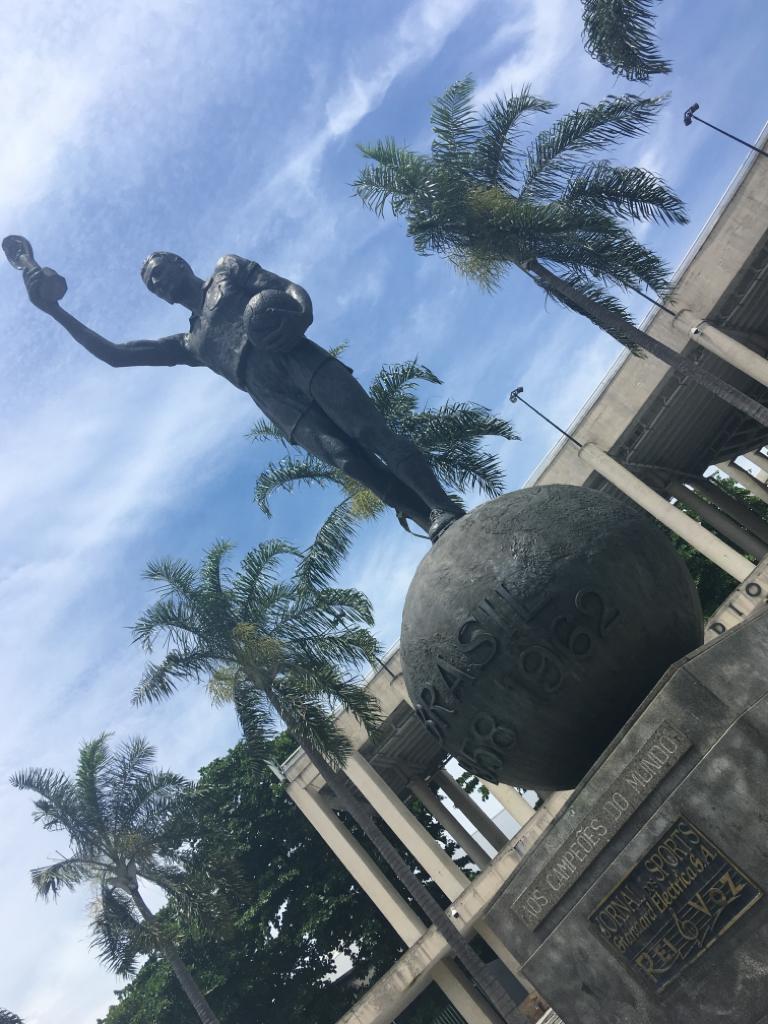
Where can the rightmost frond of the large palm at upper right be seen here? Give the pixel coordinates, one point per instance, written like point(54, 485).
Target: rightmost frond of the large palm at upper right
point(627, 192)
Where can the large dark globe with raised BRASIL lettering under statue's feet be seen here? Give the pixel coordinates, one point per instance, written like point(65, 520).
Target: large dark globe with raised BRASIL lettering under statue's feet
point(537, 625)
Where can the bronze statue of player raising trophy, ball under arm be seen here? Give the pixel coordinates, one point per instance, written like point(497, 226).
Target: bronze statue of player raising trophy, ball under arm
point(248, 326)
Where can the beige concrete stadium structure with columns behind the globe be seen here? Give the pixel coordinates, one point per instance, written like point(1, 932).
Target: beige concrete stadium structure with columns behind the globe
point(652, 437)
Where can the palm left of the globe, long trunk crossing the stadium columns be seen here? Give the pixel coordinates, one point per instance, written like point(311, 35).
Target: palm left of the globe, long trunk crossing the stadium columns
point(284, 646)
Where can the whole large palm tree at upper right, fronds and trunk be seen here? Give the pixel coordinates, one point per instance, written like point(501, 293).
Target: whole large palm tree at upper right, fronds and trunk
point(488, 203)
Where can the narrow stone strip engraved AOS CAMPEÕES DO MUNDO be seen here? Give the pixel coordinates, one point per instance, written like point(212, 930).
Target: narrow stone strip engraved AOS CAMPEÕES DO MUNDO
point(614, 808)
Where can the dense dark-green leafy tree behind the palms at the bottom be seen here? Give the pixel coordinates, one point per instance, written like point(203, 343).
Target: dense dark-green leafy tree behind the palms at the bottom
point(291, 903)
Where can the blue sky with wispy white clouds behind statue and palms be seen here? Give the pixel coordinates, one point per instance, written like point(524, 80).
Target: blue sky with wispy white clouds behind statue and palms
point(206, 131)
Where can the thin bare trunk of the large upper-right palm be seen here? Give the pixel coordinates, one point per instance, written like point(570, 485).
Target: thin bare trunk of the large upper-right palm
point(616, 325)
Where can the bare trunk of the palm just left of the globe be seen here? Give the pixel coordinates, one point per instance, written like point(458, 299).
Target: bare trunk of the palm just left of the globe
point(362, 814)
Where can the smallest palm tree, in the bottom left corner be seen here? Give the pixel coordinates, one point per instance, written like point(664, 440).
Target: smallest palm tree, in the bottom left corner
point(115, 810)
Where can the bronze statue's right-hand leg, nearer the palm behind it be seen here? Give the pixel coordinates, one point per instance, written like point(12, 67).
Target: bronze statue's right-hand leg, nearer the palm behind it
point(349, 405)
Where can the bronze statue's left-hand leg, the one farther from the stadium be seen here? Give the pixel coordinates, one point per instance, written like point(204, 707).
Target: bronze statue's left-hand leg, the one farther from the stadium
point(321, 437)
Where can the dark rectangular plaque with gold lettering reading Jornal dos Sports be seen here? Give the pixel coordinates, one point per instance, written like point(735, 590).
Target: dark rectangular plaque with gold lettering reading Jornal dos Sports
point(673, 906)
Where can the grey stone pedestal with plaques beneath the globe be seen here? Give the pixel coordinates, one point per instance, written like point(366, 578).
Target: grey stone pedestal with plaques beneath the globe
point(645, 903)
